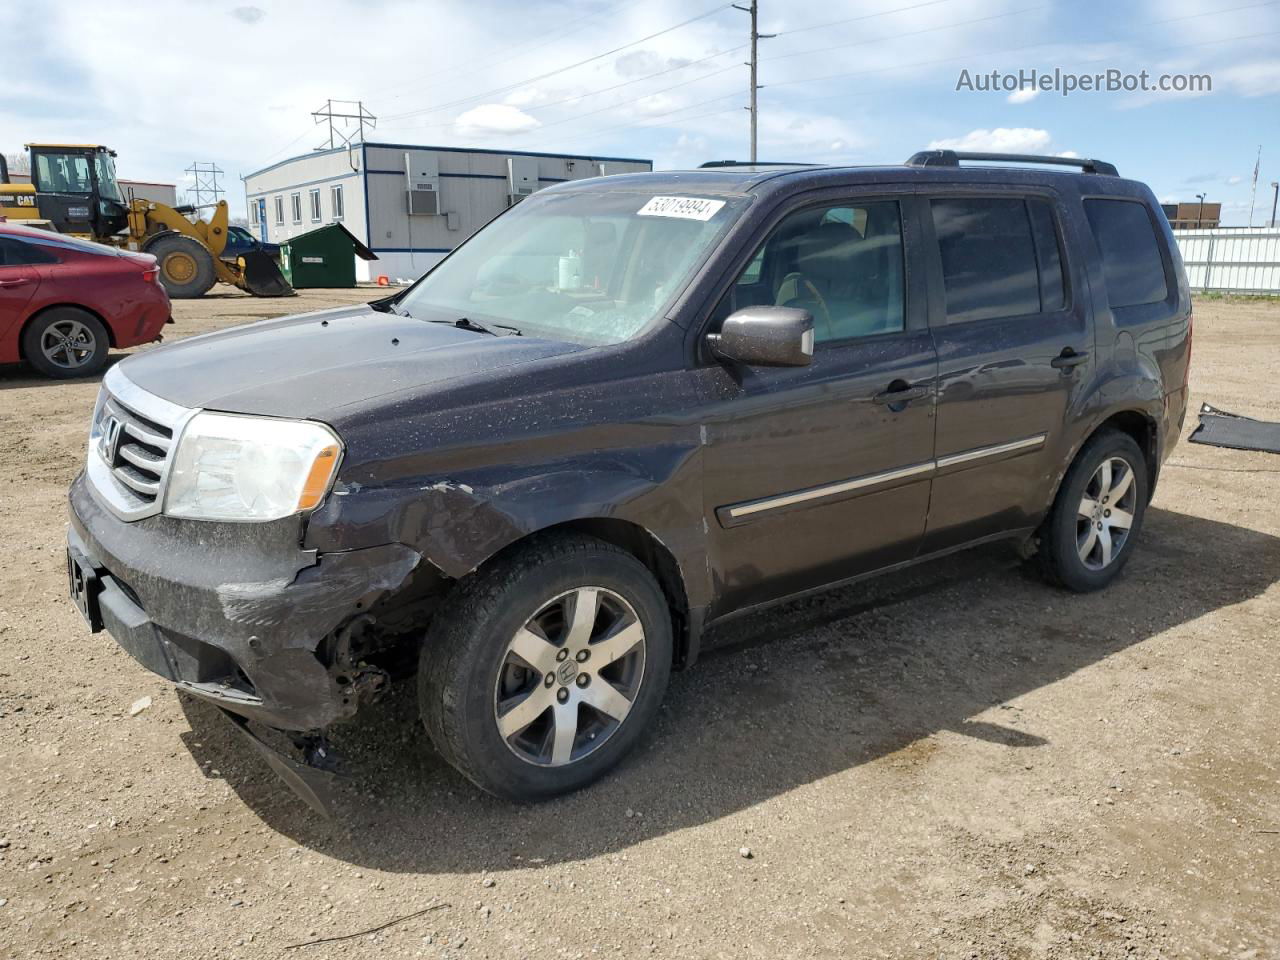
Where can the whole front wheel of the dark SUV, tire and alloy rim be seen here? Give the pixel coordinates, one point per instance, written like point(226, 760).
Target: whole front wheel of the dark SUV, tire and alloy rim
point(542, 673)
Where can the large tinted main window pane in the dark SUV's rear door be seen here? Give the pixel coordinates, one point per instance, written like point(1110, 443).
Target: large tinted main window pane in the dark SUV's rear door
point(989, 259)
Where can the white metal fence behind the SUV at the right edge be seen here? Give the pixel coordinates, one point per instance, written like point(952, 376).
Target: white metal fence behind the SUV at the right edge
point(1227, 260)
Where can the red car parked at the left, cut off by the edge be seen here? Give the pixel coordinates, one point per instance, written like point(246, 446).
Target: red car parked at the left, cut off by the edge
point(66, 303)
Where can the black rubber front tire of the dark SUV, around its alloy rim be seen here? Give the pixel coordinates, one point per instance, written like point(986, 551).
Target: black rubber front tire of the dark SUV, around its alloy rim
point(464, 657)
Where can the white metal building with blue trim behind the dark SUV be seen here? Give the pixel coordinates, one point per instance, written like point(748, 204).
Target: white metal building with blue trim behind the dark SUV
point(410, 204)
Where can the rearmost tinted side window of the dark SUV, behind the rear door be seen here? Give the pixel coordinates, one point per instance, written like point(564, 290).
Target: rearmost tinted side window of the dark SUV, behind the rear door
point(1131, 254)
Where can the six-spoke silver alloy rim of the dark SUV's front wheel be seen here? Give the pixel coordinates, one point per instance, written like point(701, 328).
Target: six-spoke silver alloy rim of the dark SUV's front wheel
point(570, 676)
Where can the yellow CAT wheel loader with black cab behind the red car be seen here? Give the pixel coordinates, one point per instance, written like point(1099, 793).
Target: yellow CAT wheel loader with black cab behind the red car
point(75, 191)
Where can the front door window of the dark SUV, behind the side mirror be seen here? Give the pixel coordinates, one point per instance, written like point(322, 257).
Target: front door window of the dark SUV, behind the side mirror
point(843, 263)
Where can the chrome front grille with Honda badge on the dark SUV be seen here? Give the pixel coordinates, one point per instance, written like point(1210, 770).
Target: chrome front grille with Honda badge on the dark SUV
point(131, 442)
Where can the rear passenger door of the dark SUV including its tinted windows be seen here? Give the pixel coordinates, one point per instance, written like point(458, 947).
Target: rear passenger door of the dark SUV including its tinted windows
point(1009, 314)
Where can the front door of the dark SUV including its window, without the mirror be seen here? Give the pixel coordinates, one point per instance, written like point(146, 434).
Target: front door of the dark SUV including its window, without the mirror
point(817, 474)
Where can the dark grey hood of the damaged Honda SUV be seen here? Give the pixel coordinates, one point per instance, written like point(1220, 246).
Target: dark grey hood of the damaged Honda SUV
point(313, 364)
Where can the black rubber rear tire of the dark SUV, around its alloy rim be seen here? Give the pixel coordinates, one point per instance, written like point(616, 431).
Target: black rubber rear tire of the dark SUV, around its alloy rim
point(1068, 531)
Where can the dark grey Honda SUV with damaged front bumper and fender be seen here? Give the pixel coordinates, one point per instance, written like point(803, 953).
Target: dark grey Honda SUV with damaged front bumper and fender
point(627, 410)
